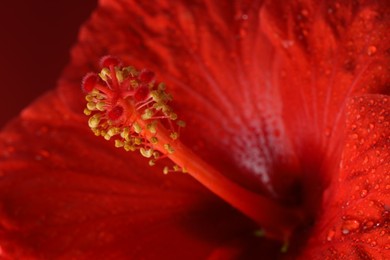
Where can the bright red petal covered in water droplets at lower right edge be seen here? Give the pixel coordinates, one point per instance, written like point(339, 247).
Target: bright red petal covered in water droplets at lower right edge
point(355, 221)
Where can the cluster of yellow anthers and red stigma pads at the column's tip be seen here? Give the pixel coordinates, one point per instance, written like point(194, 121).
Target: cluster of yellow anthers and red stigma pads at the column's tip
point(130, 108)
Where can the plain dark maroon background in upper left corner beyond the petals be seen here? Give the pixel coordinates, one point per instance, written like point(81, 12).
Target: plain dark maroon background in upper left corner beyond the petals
point(36, 37)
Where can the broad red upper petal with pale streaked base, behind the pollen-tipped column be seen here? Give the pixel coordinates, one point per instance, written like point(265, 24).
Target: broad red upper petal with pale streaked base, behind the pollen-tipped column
point(197, 48)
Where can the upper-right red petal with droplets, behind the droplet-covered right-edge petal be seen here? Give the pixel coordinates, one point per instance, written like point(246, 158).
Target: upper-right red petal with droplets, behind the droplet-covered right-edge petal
point(328, 52)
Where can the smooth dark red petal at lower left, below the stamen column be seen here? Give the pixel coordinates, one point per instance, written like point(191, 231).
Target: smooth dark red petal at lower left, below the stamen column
point(65, 193)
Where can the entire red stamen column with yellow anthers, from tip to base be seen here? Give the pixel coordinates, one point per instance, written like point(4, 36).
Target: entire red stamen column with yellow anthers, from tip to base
point(128, 106)
